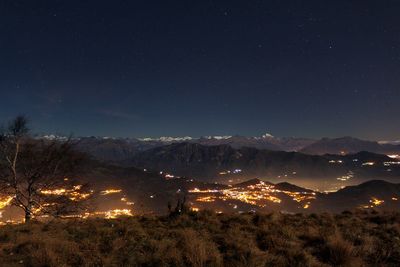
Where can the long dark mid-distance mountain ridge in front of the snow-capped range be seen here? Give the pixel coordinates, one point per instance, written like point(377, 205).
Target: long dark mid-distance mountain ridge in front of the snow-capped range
point(209, 162)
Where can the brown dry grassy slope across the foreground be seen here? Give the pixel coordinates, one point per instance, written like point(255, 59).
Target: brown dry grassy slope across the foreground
point(207, 239)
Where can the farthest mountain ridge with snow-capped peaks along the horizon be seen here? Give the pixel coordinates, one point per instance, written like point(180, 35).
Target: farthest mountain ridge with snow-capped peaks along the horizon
point(122, 149)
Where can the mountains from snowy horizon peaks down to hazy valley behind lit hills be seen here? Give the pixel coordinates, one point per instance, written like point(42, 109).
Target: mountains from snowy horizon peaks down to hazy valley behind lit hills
point(326, 164)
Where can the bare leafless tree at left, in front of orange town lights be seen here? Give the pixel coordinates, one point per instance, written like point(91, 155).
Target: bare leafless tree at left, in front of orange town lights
point(37, 173)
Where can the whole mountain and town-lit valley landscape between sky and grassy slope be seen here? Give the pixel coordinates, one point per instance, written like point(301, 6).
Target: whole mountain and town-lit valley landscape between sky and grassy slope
point(237, 173)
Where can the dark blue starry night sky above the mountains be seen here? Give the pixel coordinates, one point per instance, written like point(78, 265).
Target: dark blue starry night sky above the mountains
point(156, 68)
